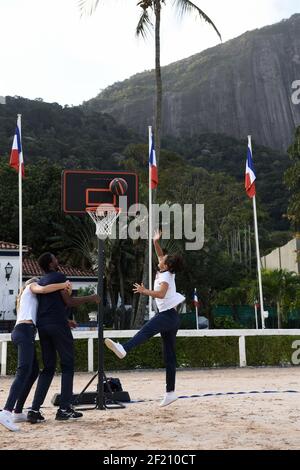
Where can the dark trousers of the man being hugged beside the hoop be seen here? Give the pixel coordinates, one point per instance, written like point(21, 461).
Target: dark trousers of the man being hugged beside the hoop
point(55, 338)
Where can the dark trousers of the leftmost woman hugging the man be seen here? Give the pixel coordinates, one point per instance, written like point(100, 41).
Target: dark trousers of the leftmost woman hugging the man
point(23, 337)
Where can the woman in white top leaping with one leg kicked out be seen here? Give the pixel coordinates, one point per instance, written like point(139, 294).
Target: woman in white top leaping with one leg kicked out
point(165, 322)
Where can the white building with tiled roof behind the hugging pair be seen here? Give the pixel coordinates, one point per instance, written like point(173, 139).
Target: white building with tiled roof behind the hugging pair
point(9, 277)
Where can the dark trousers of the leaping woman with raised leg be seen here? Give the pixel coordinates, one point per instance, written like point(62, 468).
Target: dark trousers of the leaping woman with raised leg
point(167, 324)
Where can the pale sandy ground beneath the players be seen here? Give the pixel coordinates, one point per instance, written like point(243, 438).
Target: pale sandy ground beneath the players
point(260, 421)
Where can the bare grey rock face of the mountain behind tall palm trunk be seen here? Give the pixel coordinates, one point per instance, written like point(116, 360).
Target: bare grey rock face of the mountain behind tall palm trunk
point(241, 87)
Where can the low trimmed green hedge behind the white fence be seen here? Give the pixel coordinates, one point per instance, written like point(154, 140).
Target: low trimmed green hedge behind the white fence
point(191, 352)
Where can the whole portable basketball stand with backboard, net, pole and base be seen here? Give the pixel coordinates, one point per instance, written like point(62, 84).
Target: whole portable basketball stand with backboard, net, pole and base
point(80, 190)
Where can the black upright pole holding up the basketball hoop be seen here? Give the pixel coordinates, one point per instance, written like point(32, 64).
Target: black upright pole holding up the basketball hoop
point(100, 397)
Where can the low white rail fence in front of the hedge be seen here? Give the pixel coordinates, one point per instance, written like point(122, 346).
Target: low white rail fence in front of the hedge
point(92, 335)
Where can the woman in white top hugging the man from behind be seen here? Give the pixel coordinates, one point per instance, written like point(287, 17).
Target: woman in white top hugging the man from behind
point(23, 337)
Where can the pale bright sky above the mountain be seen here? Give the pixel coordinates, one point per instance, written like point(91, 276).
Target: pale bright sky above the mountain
point(50, 51)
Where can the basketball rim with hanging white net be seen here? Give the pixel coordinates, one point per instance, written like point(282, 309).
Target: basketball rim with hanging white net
point(104, 216)
